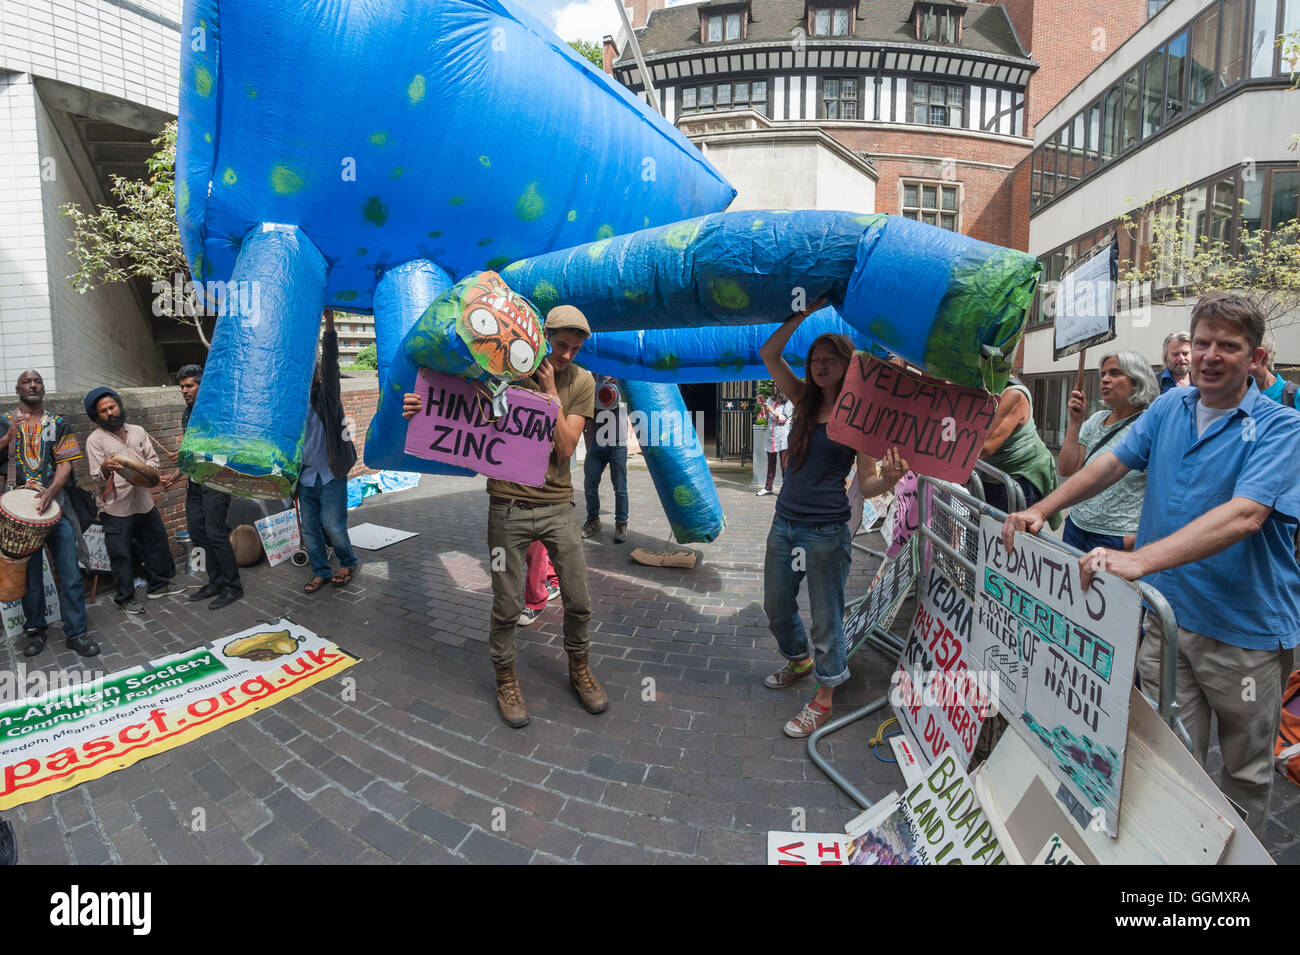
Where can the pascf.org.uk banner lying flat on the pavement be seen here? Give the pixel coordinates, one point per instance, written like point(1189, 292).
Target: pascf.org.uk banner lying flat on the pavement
point(72, 735)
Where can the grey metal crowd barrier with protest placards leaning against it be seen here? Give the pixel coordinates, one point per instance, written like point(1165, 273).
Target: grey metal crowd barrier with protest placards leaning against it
point(946, 531)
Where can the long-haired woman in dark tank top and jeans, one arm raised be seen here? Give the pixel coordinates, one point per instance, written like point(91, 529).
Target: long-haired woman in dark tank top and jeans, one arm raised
point(811, 532)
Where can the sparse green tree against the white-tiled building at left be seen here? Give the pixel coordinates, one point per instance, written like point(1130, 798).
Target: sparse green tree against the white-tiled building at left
point(136, 236)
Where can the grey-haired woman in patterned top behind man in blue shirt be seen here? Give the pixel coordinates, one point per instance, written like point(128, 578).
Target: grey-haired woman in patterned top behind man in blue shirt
point(1111, 518)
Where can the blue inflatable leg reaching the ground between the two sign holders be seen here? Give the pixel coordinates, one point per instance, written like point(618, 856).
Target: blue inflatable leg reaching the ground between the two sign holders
point(677, 461)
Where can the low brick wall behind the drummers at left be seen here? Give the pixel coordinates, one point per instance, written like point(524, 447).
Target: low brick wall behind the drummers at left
point(159, 413)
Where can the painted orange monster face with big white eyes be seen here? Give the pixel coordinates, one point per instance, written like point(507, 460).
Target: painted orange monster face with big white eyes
point(502, 329)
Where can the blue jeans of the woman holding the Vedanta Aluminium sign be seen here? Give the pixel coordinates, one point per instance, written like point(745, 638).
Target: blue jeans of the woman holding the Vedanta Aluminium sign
point(822, 554)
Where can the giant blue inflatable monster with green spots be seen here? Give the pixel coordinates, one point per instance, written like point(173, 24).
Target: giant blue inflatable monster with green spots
point(436, 162)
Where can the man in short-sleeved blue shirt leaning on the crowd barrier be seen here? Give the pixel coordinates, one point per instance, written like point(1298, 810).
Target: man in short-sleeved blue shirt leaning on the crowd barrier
point(1217, 539)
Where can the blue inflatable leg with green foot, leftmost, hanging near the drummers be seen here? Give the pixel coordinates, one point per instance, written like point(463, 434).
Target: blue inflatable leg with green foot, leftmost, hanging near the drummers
point(246, 431)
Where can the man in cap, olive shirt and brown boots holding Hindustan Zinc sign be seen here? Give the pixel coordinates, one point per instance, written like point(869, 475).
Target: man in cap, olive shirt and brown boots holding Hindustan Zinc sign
point(519, 515)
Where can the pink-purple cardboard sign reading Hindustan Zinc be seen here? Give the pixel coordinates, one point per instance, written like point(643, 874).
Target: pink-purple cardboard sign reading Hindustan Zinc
point(453, 427)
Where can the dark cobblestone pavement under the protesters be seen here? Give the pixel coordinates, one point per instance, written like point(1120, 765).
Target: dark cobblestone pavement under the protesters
point(421, 769)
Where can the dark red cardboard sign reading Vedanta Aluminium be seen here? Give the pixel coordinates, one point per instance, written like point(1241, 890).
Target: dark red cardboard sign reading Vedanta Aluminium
point(939, 428)
